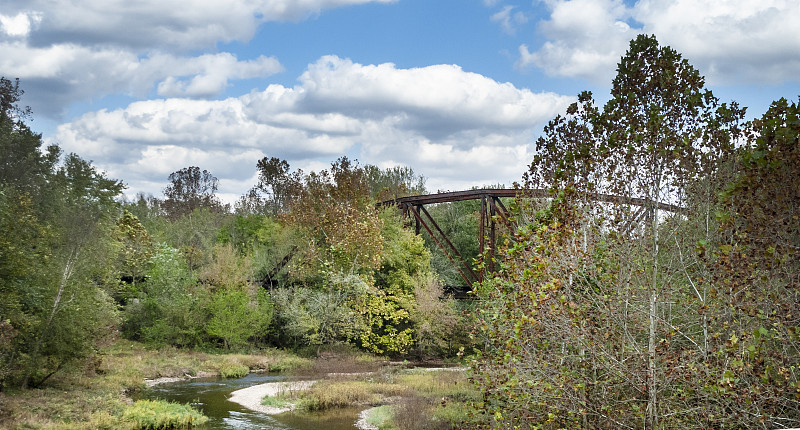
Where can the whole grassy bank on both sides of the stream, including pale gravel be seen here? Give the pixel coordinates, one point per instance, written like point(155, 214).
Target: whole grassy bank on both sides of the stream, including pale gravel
point(99, 393)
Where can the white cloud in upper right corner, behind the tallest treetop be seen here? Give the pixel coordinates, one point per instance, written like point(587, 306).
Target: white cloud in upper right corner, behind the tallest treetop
point(735, 41)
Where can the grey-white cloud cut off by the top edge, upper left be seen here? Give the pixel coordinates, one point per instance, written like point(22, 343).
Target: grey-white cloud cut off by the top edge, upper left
point(169, 24)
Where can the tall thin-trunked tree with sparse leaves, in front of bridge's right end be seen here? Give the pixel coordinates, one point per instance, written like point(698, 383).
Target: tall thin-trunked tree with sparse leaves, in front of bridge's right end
point(587, 290)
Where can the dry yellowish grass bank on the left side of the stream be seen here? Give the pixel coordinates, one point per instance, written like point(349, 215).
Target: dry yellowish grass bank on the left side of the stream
point(96, 395)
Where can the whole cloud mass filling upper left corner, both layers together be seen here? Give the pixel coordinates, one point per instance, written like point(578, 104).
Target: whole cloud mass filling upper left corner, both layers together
point(66, 53)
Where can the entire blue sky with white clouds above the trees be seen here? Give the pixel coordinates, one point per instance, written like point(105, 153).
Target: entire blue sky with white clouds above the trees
point(458, 90)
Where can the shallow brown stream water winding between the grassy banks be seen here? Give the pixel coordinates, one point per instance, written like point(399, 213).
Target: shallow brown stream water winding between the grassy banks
point(210, 395)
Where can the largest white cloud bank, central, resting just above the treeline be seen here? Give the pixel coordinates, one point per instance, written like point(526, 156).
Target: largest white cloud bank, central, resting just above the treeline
point(451, 125)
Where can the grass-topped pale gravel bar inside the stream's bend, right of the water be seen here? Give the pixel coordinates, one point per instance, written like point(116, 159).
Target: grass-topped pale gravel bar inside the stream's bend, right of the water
point(392, 397)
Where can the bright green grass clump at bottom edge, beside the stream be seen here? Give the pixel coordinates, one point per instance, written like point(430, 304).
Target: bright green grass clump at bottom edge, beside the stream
point(159, 414)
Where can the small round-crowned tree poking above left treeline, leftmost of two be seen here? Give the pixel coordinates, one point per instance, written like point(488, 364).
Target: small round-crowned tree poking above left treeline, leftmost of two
point(190, 189)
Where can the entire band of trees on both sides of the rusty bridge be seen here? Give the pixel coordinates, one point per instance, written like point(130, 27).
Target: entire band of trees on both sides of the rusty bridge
point(601, 315)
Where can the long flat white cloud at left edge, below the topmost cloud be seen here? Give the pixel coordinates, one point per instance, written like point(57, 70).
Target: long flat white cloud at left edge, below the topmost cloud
point(69, 72)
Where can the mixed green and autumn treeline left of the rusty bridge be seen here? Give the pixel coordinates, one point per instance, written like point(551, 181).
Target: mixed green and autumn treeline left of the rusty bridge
point(303, 260)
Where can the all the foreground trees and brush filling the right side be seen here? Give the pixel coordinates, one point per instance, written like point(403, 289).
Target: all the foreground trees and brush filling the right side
point(615, 312)
